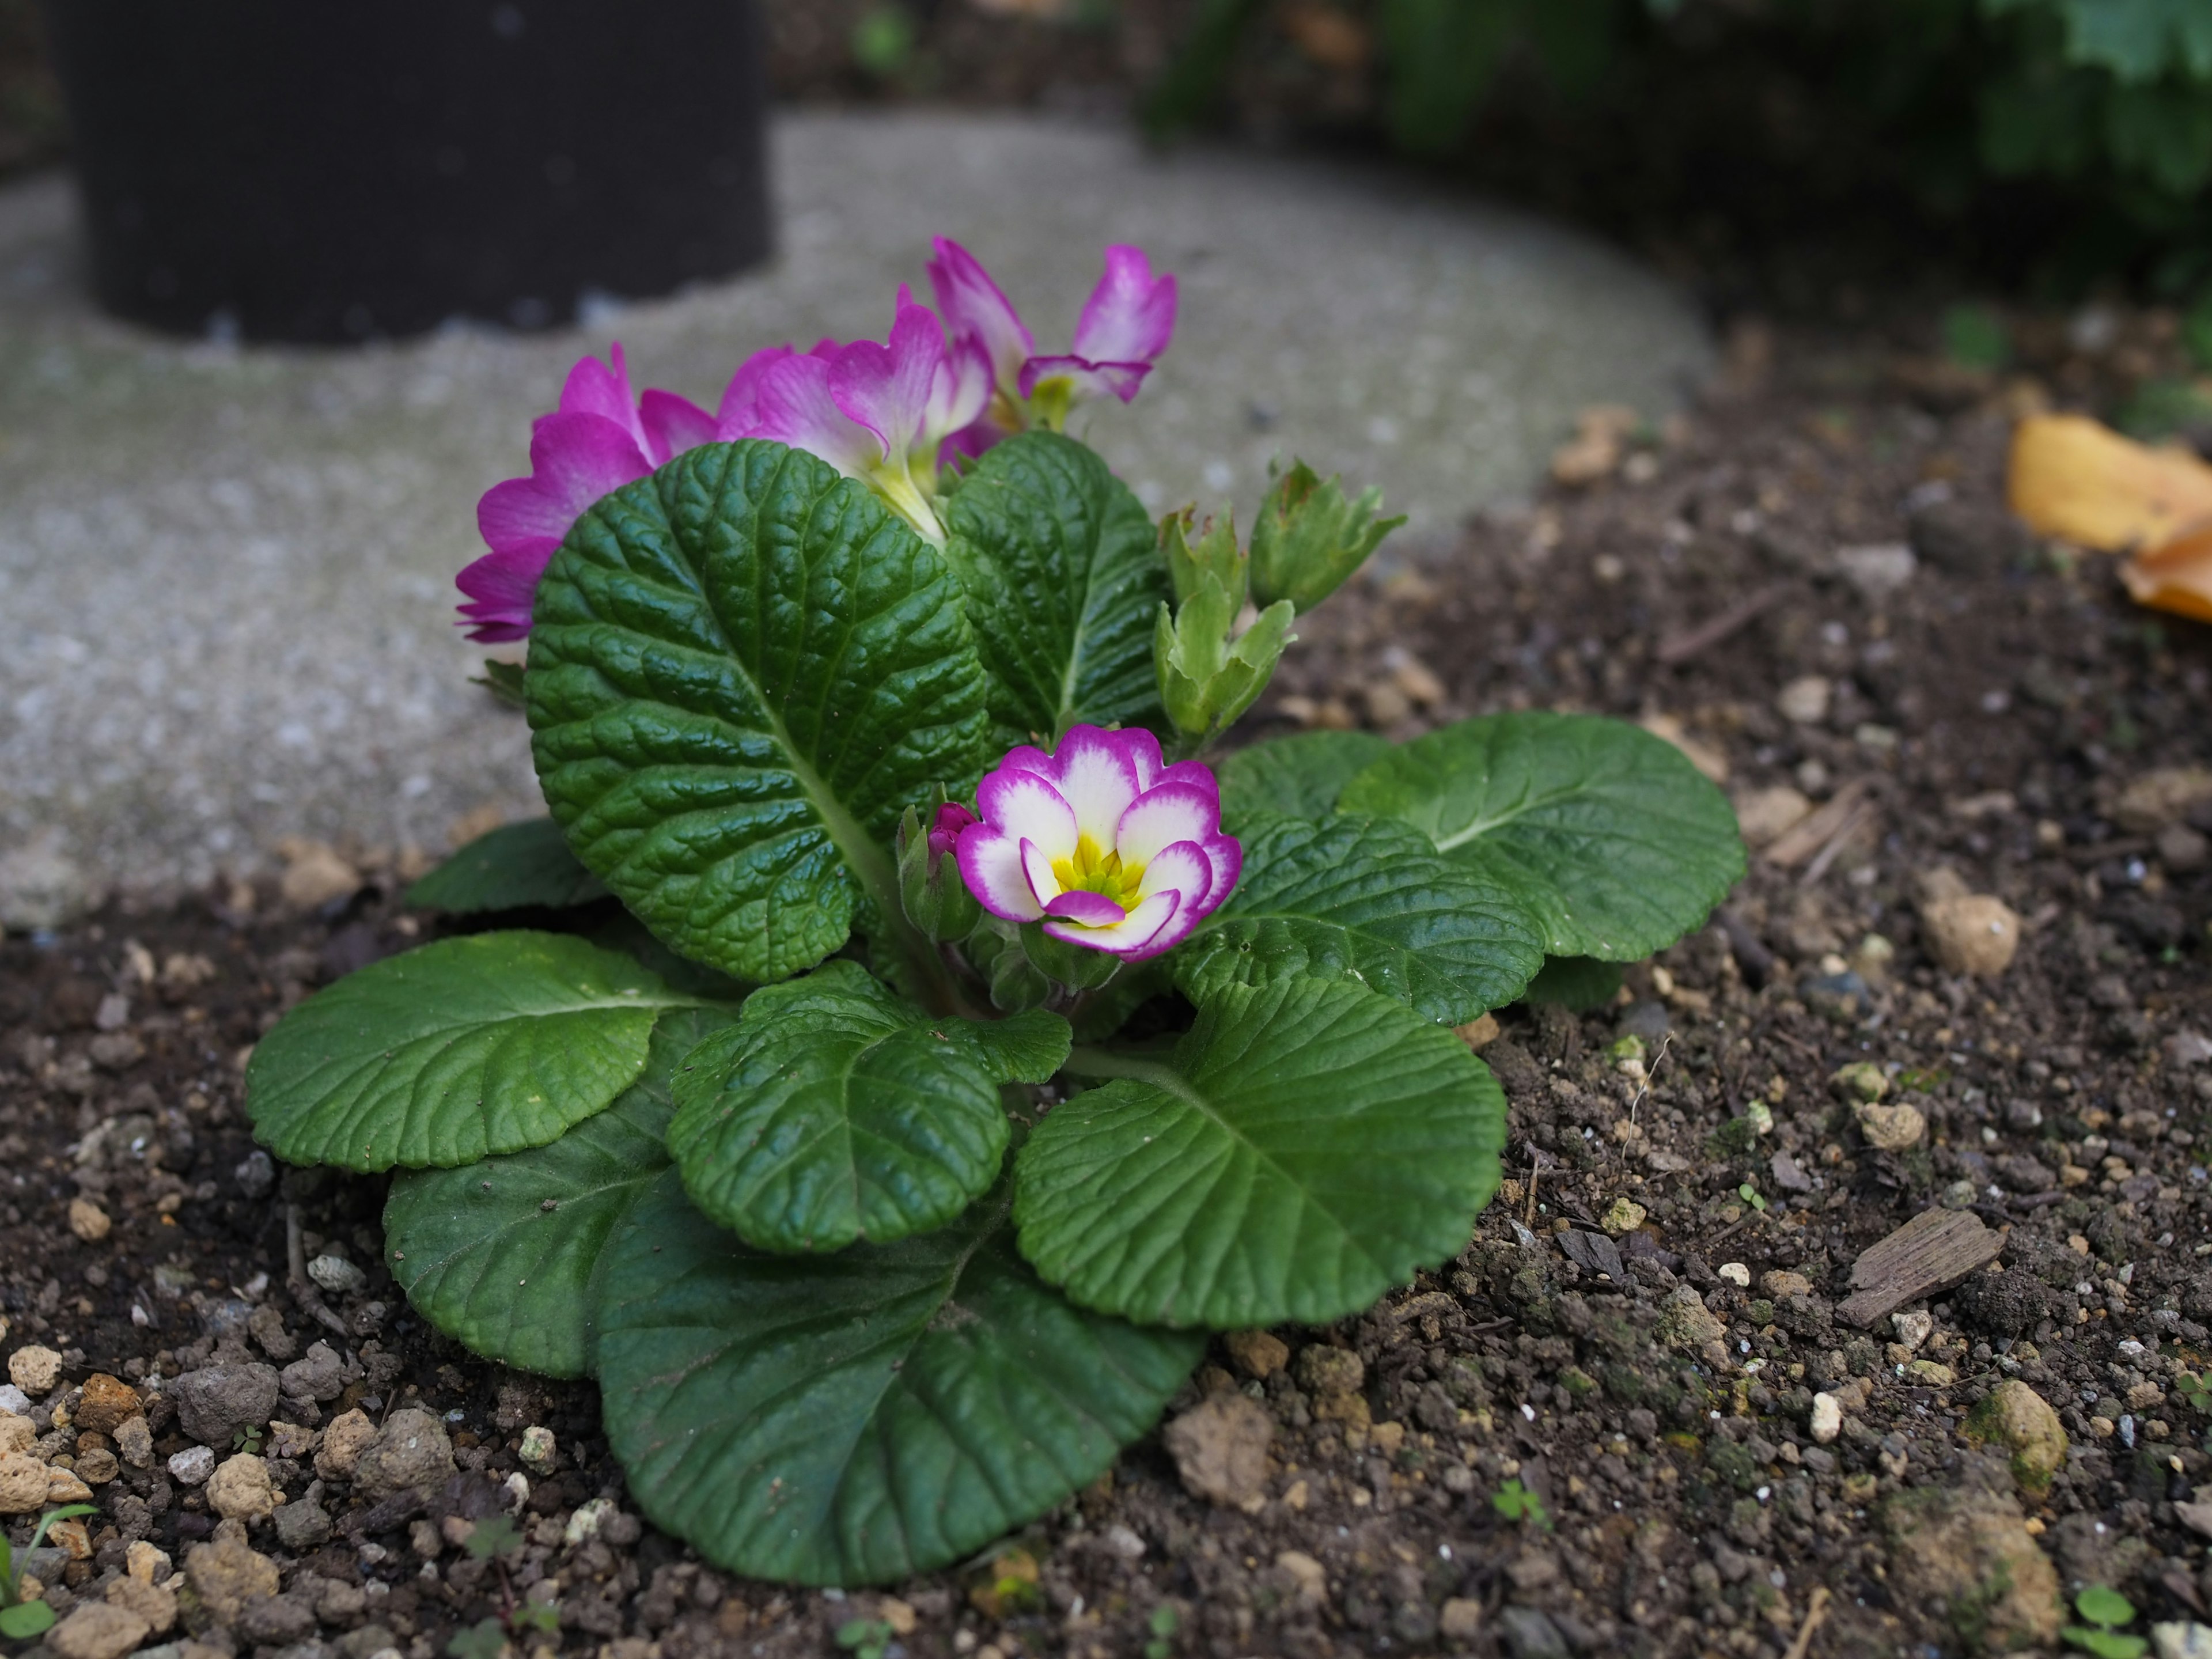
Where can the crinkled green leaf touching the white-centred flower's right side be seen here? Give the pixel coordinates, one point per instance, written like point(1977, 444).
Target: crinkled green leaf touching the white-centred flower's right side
point(1368, 901)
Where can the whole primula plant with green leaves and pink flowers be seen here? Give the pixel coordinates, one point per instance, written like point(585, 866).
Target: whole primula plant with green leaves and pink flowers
point(943, 1045)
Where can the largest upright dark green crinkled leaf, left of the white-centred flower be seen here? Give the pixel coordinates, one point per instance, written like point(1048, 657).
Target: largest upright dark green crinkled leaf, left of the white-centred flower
point(742, 671)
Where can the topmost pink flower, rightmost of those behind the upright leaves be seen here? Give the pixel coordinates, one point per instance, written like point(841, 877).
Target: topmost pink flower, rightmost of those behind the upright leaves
point(1125, 328)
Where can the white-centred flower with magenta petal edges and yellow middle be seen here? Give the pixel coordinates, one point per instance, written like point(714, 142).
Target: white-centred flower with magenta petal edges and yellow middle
point(1103, 844)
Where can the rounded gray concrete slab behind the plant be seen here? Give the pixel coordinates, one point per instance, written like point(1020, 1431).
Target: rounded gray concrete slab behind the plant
point(227, 574)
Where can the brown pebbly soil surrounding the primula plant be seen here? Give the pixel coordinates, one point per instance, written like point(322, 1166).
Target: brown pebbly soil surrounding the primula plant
point(1987, 713)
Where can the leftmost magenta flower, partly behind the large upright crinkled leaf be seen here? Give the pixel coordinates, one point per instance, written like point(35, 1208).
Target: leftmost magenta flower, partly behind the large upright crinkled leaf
point(594, 444)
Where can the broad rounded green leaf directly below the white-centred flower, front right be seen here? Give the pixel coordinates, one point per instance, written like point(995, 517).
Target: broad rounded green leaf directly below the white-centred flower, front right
point(1308, 1147)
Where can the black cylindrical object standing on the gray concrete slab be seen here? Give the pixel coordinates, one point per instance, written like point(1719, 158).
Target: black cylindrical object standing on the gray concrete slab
point(348, 169)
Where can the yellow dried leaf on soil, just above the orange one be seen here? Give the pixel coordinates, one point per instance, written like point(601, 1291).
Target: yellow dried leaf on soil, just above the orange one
point(2085, 483)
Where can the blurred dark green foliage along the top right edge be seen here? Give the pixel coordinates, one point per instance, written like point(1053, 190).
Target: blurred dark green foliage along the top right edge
point(2103, 103)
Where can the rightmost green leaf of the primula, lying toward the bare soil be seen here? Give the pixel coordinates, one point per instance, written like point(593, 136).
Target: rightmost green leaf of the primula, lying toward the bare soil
point(1603, 831)
